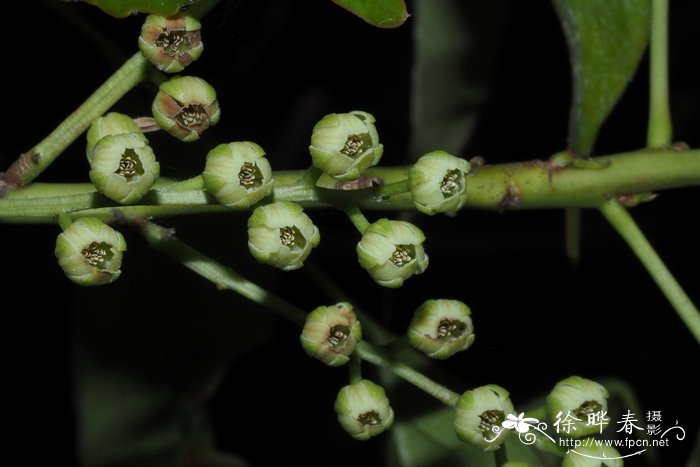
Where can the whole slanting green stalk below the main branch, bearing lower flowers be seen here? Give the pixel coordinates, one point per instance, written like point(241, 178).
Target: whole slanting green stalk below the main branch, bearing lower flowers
point(164, 240)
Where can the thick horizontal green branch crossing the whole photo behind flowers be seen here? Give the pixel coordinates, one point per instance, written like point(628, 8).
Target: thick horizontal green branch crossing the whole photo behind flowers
point(525, 185)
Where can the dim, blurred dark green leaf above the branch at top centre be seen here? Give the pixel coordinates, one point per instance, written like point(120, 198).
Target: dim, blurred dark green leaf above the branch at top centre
point(452, 68)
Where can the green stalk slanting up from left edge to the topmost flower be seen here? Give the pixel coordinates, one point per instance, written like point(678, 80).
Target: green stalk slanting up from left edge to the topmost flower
point(37, 159)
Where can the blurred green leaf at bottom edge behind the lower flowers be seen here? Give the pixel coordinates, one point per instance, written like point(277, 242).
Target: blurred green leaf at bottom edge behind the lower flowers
point(429, 440)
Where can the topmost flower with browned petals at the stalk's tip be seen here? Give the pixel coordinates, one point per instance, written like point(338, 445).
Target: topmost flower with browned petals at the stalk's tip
point(171, 43)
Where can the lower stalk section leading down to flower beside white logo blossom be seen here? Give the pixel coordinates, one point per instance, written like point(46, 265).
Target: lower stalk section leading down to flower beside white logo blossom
point(374, 355)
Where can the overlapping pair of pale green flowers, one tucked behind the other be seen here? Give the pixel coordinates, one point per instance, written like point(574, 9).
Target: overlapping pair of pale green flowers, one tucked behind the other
point(123, 166)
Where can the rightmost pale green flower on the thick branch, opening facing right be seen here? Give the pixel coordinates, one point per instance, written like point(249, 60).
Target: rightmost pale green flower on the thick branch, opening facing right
point(438, 182)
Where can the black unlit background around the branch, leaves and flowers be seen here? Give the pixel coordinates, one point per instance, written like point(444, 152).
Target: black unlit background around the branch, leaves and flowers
point(278, 67)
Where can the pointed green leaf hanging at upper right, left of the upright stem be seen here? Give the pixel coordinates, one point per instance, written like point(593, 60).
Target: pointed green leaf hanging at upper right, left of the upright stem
point(606, 42)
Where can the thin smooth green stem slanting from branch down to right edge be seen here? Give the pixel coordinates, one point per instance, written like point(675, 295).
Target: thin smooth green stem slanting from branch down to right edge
point(620, 219)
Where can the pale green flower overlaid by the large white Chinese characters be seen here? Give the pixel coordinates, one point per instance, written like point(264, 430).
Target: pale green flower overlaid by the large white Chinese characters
point(581, 400)
